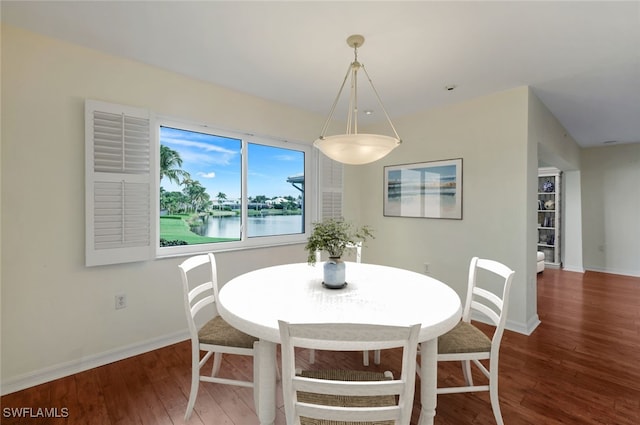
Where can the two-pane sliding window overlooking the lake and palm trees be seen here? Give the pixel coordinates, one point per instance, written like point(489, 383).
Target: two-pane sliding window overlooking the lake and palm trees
point(208, 201)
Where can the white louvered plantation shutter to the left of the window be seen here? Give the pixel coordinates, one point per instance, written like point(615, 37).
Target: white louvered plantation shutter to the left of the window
point(119, 165)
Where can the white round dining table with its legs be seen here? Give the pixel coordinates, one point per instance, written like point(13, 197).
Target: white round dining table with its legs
point(374, 294)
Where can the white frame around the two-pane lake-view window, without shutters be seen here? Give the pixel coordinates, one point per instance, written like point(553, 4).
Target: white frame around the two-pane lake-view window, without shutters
point(244, 242)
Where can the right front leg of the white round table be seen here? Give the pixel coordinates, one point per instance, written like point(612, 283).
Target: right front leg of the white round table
point(429, 379)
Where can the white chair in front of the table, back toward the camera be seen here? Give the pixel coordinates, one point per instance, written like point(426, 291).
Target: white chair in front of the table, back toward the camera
point(322, 397)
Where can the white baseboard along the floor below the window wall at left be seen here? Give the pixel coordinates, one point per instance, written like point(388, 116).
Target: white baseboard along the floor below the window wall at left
point(75, 366)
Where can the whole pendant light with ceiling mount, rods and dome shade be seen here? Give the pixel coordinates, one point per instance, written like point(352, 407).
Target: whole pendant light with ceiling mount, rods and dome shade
point(353, 147)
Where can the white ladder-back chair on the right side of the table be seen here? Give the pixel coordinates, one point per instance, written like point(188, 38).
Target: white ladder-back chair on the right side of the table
point(467, 343)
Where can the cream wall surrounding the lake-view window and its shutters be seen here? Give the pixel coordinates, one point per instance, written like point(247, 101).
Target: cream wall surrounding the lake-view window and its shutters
point(58, 315)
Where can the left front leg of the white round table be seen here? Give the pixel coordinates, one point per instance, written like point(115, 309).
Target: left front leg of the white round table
point(264, 382)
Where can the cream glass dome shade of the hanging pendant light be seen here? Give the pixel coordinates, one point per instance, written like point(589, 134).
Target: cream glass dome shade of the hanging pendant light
point(356, 149)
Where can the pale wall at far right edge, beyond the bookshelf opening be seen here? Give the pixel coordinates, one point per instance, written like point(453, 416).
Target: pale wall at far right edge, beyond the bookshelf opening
point(611, 209)
